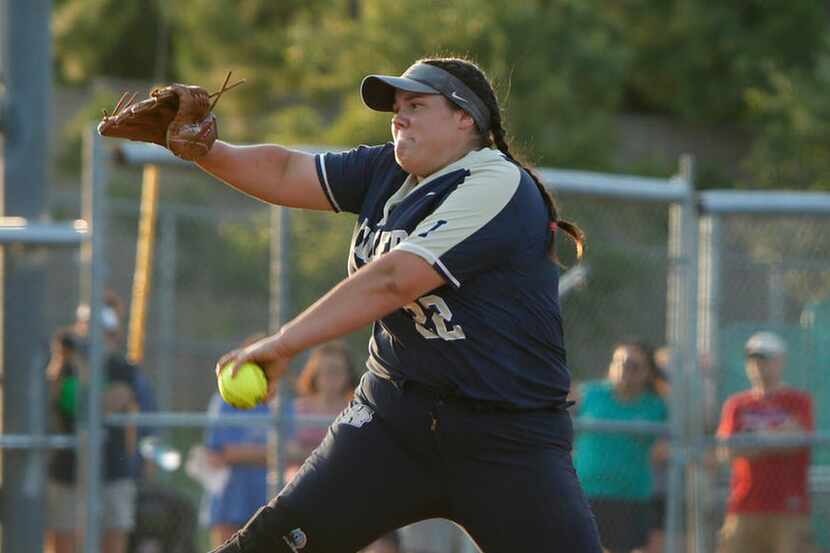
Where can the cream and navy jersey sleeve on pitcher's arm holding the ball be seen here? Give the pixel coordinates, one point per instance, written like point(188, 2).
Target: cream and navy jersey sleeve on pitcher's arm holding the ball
point(472, 229)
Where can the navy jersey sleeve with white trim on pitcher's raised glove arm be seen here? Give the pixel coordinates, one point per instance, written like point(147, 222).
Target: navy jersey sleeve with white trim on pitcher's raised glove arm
point(345, 176)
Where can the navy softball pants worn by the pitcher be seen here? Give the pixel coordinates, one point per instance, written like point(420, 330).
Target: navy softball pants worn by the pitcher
point(400, 454)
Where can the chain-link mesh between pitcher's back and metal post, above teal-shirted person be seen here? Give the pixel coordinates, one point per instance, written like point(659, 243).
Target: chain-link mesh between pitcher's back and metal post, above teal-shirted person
point(623, 295)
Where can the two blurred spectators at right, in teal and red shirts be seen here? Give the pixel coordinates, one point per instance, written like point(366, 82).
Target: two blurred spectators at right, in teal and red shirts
point(625, 474)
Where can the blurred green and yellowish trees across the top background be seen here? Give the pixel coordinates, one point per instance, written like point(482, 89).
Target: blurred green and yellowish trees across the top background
point(563, 68)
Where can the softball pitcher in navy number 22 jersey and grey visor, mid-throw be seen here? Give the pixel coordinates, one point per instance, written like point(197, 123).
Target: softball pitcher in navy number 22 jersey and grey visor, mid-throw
point(462, 413)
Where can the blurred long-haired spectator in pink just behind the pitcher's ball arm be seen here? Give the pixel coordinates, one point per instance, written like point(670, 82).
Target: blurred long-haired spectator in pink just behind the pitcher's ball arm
point(324, 388)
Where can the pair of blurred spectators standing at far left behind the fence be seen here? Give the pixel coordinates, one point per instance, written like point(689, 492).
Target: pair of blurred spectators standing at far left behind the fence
point(127, 390)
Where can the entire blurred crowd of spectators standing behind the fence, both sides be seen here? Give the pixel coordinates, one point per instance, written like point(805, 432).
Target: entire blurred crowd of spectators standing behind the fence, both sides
point(624, 473)
